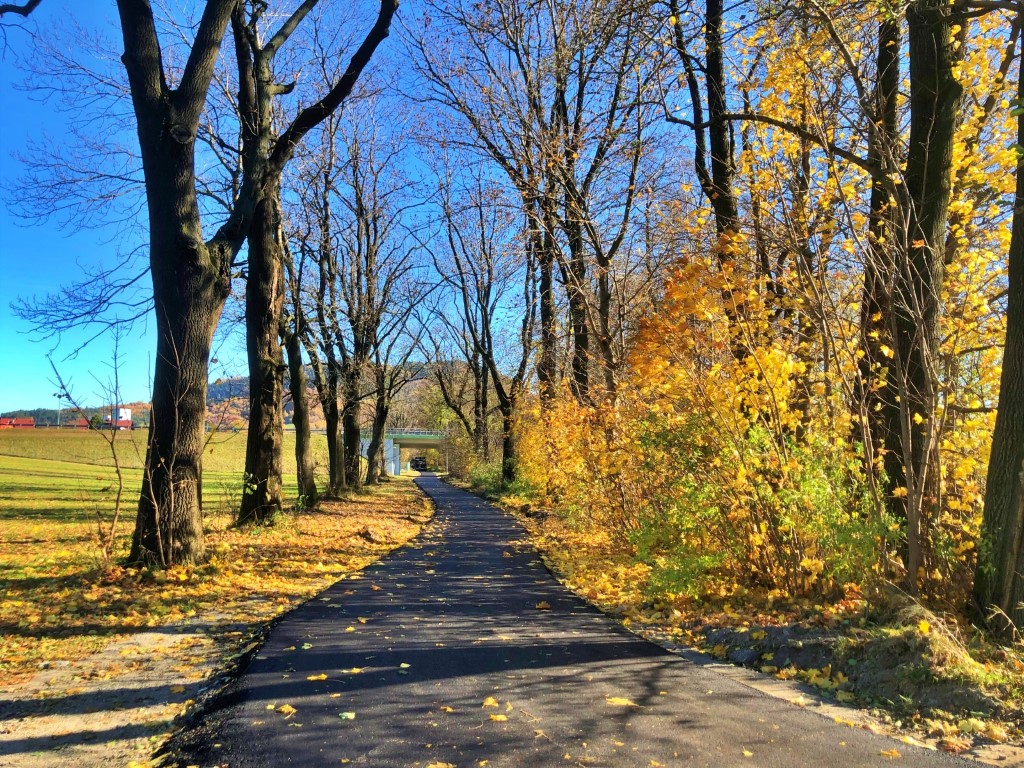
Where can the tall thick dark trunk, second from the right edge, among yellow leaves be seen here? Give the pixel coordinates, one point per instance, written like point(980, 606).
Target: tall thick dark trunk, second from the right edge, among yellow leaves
point(935, 100)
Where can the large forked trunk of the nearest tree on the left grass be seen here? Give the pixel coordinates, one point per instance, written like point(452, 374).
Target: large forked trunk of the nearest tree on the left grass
point(191, 280)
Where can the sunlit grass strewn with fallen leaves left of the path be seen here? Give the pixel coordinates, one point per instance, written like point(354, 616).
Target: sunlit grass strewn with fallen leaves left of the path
point(58, 604)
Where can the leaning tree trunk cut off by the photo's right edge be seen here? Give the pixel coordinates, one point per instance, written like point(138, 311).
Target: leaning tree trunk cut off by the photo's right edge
point(999, 587)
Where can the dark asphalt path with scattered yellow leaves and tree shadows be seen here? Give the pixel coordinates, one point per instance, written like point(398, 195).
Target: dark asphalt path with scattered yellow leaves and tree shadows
point(414, 649)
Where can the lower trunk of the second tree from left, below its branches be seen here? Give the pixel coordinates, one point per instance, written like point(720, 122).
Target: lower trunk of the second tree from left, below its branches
point(263, 493)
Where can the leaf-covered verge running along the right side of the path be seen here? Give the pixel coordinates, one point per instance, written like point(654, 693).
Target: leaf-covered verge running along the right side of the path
point(933, 676)
